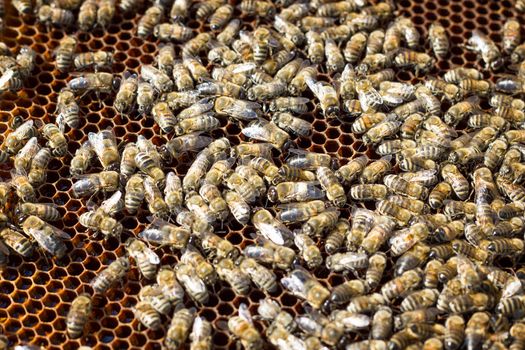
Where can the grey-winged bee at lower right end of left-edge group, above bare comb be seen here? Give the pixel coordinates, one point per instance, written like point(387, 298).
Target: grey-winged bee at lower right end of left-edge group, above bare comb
point(48, 237)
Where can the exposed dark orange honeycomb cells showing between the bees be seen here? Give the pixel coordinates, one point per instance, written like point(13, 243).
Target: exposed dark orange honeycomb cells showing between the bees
point(36, 293)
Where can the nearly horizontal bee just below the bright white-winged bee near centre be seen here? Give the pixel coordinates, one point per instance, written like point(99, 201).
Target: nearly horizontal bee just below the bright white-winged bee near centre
point(270, 253)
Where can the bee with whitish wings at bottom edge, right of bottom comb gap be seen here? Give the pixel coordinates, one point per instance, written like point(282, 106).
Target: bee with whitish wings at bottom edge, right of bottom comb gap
point(242, 328)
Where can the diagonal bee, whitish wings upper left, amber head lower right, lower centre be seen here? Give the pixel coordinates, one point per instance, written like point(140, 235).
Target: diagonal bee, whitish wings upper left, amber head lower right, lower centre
point(303, 285)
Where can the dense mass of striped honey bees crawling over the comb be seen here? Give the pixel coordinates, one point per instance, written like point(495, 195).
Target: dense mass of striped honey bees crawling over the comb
point(447, 215)
